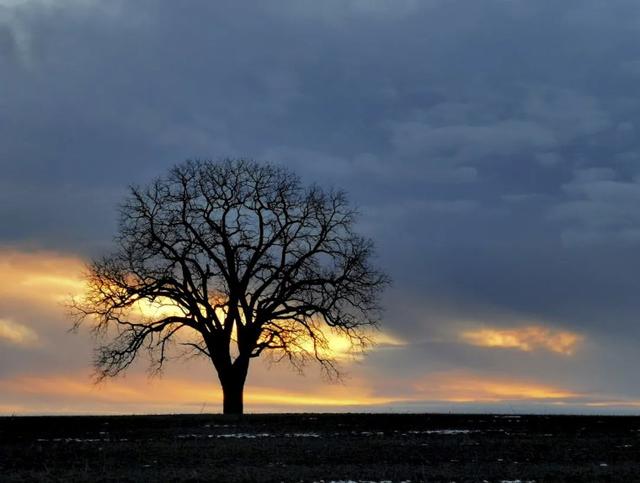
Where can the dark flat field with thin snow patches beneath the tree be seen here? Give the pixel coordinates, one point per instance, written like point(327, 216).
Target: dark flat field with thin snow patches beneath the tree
point(329, 447)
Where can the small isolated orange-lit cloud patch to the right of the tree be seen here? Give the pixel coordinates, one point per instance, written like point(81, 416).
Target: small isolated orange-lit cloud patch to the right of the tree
point(526, 339)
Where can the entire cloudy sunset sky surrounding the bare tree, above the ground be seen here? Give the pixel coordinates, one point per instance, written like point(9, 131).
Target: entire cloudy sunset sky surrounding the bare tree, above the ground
point(491, 146)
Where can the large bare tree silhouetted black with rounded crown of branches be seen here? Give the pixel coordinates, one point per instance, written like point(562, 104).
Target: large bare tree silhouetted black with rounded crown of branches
point(239, 260)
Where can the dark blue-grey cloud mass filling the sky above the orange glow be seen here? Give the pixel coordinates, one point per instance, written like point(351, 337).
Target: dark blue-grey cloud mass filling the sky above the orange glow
point(492, 145)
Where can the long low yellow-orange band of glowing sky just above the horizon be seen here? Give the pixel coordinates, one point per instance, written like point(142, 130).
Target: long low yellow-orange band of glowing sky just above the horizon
point(139, 392)
